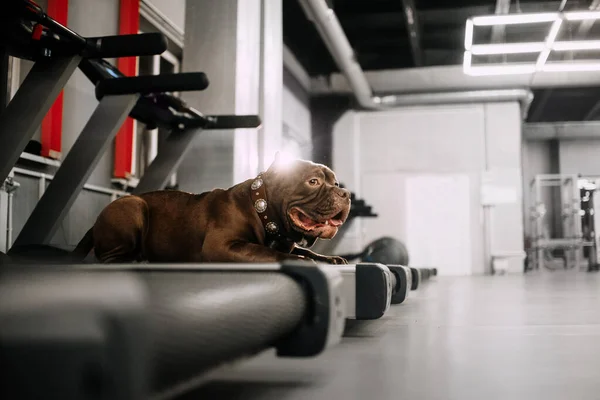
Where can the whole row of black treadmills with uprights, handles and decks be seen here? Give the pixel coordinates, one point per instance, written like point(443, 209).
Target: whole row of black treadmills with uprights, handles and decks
point(140, 331)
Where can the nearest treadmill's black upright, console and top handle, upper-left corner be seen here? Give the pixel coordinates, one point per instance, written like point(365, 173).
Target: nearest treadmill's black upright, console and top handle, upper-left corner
point(27, 32)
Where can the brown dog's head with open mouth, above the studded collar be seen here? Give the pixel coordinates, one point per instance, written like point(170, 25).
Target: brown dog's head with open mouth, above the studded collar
point(307, 197)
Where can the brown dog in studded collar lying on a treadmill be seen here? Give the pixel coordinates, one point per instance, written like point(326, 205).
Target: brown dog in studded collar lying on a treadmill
point(267, 219)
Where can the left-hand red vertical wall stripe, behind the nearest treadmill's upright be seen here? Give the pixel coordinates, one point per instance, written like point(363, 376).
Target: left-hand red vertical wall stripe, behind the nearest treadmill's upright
point(51, 137)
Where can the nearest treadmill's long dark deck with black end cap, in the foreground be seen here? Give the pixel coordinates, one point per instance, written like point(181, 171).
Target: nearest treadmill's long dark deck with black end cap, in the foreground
point(131, 331)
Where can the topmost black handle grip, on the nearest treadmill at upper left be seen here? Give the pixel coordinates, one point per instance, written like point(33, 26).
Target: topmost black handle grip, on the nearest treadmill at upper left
point(143, 44)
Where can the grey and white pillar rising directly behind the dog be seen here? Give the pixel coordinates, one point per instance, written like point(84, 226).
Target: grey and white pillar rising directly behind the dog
point(238, 44)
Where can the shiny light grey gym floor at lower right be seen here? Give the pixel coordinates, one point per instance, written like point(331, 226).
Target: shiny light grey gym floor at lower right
point(503, 337)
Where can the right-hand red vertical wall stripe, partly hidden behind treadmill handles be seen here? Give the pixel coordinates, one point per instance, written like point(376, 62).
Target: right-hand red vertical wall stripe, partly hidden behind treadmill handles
point(129, 23)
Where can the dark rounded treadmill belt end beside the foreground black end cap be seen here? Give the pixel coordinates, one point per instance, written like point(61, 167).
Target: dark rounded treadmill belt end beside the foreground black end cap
point(201, 320)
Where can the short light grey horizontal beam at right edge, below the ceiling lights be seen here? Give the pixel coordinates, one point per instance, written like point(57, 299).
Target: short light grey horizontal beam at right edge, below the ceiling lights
point(561, 130)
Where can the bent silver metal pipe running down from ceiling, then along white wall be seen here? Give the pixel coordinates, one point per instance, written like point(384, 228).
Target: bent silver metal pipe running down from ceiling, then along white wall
point(338, 45)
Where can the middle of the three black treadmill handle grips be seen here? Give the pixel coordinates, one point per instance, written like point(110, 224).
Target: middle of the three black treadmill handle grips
point(152, 84)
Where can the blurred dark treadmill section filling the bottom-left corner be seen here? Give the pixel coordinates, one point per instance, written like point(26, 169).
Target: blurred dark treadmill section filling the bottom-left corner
point(73, 335)
